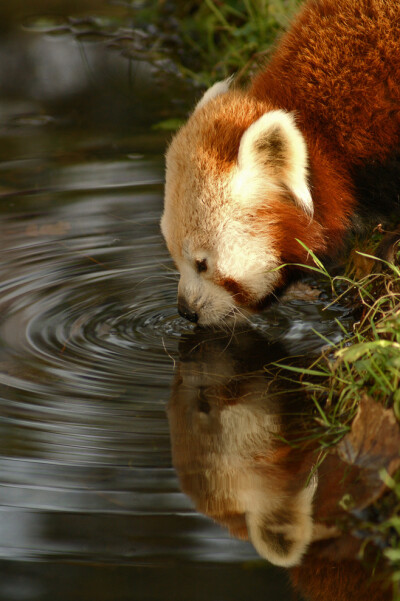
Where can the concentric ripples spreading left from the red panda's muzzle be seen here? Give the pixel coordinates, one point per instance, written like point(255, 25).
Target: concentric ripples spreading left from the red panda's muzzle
point(85, 303)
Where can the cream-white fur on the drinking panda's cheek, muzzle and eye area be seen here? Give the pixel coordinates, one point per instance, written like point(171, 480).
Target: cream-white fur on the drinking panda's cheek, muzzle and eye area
point(233, 252)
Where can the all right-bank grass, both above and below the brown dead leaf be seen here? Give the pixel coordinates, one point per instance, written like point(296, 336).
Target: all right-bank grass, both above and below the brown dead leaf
point(365, 362)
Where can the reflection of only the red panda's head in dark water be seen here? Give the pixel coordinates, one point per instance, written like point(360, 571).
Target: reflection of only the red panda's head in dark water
point(225, 426)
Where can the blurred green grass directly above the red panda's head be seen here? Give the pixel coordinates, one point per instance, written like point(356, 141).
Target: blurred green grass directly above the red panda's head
point(230, 37)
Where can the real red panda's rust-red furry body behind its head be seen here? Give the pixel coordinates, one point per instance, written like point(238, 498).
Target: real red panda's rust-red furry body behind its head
point(338, 69)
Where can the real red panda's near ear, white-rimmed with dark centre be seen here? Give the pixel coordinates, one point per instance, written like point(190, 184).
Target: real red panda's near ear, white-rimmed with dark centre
point(273, 148)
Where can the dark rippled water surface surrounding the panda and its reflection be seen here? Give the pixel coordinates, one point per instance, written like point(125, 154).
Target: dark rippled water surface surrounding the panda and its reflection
point(90, 505)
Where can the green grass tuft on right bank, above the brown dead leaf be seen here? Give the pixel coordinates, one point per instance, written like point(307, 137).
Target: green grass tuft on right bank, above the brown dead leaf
point(367, 360)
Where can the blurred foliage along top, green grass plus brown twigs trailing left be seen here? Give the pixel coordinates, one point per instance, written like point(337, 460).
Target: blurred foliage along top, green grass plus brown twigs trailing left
point(199, 41)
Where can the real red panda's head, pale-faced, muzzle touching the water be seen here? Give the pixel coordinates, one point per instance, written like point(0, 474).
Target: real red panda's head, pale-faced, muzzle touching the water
point(236, 199)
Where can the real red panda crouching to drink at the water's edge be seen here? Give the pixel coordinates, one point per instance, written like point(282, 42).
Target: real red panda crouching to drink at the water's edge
point(310, 151)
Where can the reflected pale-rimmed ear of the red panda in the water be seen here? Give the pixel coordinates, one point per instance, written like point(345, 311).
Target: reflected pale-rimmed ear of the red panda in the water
point(283, 535)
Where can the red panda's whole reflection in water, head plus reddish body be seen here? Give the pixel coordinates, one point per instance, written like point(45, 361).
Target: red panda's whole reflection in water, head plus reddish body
point(231, 432)
